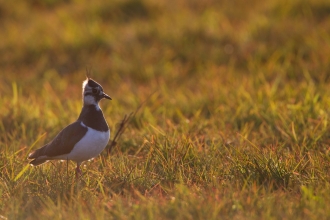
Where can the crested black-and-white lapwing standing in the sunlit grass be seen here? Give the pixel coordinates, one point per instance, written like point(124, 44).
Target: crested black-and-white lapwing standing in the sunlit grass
point(85, 138)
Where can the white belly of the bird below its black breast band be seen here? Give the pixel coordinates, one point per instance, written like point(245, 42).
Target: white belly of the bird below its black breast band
point(90, 146)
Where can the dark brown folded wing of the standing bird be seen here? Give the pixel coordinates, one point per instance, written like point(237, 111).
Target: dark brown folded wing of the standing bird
point(63, 143)
